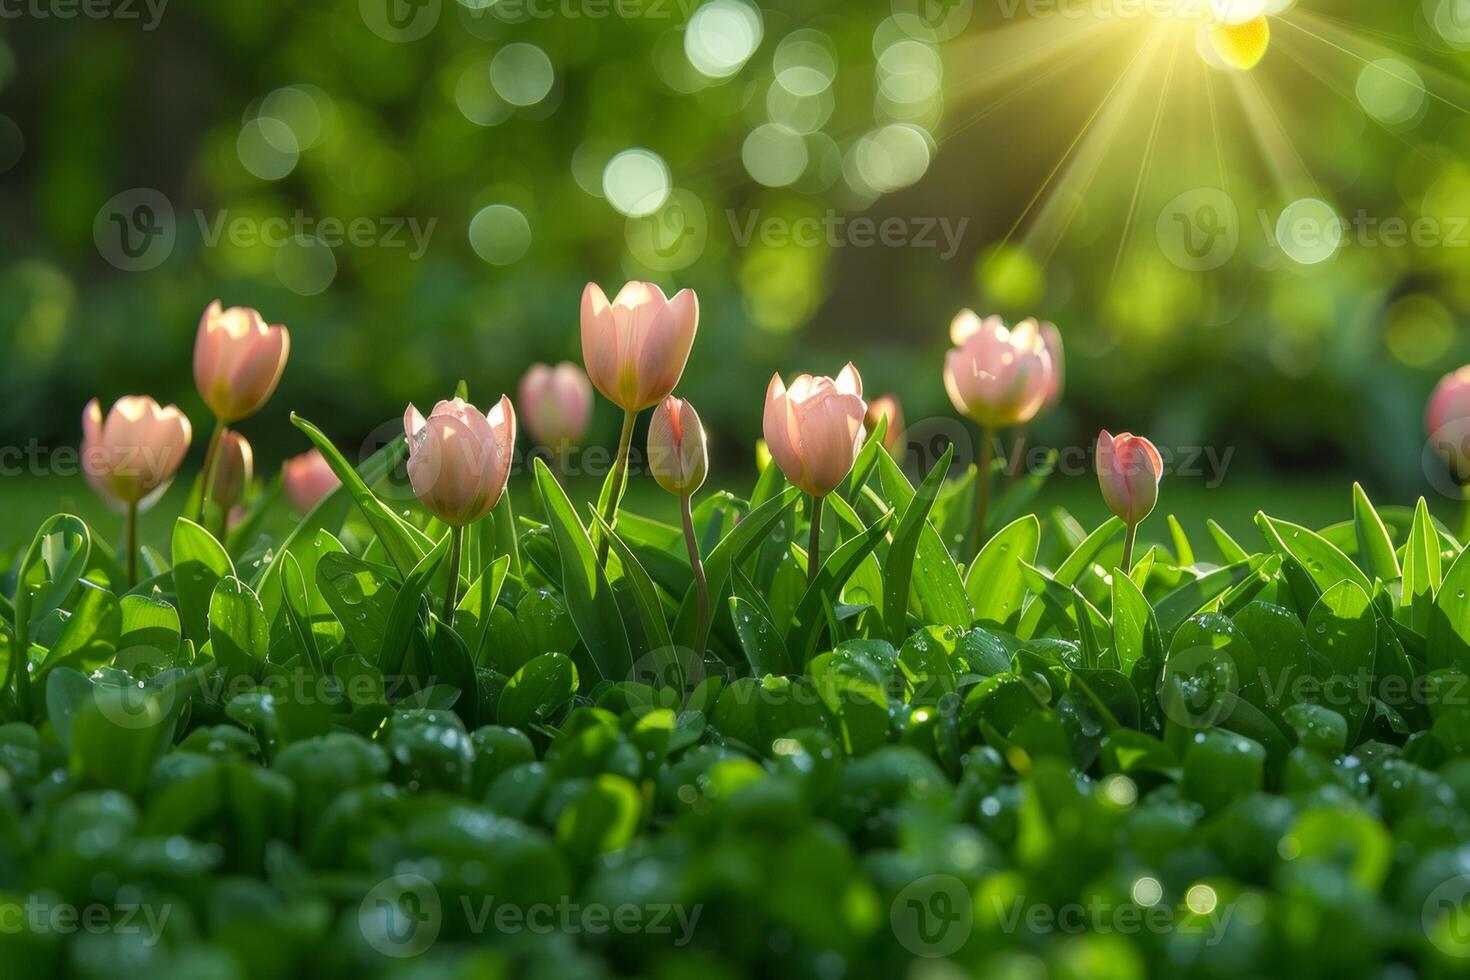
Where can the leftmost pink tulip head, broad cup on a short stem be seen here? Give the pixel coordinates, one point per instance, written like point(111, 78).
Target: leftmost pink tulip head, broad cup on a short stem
point(132, 456)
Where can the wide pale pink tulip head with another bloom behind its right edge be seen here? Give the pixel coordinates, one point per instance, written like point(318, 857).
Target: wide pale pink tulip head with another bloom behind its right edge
point(999, 377)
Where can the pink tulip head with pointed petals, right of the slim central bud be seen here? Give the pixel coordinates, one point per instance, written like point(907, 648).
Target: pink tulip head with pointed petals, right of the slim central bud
point(815, 428)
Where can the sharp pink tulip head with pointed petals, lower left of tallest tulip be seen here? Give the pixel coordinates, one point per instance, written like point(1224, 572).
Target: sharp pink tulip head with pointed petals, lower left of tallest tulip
point(459, 459)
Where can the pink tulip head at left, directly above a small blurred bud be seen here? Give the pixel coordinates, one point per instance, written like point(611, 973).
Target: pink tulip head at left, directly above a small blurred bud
point(237, 361)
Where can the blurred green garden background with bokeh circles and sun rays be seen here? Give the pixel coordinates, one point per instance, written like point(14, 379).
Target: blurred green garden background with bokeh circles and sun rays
point(421, 189)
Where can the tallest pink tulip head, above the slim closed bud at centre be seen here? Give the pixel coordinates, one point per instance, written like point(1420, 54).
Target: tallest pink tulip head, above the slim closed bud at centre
point(637, 346)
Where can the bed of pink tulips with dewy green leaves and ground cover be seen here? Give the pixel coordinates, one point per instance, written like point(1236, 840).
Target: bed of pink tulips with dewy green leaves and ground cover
point(839, 724)
